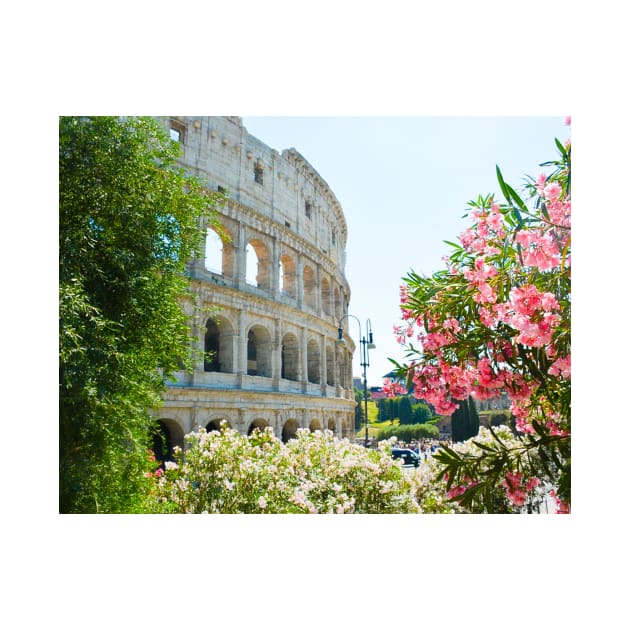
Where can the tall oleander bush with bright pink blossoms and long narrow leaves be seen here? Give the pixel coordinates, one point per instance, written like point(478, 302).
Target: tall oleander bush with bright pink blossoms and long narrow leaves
point(498, 320)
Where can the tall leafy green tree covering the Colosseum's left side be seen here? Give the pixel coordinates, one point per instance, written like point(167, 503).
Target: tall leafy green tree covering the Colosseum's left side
point(129, 220)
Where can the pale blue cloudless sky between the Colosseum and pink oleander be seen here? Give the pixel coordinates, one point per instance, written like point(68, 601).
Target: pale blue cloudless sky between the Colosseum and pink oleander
point(404, 184)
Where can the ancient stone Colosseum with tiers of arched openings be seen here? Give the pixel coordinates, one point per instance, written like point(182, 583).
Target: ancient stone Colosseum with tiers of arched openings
point(267, 301)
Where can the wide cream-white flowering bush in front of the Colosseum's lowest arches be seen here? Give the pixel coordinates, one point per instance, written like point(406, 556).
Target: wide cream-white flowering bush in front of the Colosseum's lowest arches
point(225, 472)
